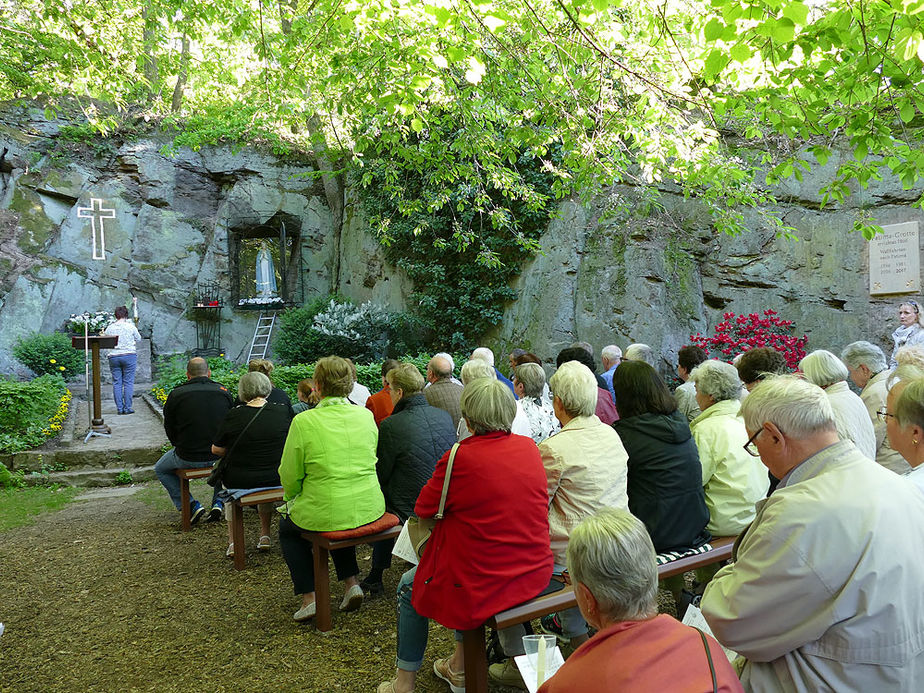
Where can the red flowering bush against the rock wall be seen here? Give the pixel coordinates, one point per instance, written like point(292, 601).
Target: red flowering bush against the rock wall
point(738, 333)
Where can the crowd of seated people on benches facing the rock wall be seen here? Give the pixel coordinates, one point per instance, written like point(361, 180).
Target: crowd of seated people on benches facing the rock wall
point(596, 479)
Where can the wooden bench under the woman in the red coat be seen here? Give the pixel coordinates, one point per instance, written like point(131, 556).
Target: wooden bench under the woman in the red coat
point(473, 641)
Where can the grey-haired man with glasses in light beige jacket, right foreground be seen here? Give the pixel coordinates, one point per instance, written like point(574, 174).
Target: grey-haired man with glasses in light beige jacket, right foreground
point(825, 589)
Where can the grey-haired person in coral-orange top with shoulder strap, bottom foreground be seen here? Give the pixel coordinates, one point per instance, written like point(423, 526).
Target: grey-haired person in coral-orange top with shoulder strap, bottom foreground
point(612, 566)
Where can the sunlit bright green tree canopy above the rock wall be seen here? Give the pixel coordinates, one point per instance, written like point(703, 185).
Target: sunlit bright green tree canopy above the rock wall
point(599, 91)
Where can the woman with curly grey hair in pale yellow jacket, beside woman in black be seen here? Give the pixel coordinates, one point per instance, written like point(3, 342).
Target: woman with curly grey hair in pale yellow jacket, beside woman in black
point(733, 481)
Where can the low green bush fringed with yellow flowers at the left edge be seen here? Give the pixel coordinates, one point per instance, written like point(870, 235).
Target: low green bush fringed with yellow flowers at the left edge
point(31, 412)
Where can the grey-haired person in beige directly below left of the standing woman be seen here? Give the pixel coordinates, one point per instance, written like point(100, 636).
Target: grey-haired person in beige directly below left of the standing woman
point(867, 367)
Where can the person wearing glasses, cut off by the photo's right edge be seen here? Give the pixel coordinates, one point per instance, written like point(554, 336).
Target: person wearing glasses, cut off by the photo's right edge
point(904, 412)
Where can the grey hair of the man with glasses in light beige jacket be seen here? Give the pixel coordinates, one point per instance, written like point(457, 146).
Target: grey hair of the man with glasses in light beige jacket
point(795, 406)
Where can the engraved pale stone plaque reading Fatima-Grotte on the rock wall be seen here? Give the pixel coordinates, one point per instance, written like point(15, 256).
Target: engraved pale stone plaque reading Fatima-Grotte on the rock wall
point(894, 260)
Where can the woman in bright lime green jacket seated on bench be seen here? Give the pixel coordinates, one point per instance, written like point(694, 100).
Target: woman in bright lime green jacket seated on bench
point(329, 482)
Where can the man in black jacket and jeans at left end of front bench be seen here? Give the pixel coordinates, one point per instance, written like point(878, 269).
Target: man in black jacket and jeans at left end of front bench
point(192, 414)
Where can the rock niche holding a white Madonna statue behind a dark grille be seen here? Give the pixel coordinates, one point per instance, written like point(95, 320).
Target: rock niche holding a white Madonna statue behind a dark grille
point(265, 261)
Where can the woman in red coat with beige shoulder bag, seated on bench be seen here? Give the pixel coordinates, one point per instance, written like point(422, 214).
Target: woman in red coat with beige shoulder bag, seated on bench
point(491, 549)
